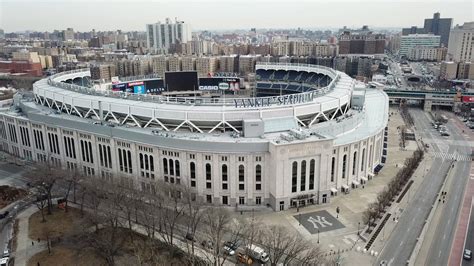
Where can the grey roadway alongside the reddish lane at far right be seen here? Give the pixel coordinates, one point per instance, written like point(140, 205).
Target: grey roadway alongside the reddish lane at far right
point(444, 234)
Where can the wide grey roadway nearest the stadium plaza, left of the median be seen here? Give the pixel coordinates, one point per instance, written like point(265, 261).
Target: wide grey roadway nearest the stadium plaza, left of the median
point(403, 239)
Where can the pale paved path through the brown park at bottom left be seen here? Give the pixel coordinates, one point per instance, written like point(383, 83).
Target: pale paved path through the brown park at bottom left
point(26, 247)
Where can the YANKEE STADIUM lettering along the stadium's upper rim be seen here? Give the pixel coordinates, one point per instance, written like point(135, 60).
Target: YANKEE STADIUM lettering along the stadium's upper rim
point(275, 100)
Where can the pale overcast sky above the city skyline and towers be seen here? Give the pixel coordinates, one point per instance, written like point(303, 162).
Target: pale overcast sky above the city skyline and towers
point(84, 15)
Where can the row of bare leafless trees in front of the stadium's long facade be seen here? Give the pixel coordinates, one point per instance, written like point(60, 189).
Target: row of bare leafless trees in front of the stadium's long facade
point(168, 212)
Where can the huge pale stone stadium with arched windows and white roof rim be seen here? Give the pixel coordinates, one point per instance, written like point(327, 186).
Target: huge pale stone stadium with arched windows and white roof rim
point(307, 136)
